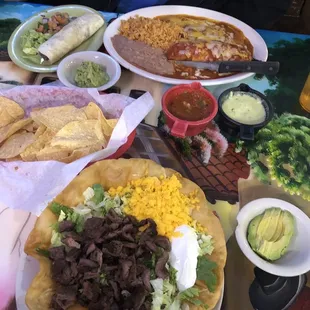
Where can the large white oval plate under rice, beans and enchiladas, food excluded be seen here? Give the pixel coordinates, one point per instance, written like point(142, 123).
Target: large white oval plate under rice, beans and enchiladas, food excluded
point(260, 47)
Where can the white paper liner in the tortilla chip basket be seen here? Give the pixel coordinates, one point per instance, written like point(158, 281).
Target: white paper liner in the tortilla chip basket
point(30, 186)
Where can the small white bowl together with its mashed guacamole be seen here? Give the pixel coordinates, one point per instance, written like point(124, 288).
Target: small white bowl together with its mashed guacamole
point(89, 70)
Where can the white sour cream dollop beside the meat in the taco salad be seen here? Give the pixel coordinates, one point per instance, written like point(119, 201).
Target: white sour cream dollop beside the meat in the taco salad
point(183, 257)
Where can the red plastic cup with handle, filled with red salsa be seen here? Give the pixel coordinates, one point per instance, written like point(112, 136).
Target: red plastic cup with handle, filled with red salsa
point(188, 109)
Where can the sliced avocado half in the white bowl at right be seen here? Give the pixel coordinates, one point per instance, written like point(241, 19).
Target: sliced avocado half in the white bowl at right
point(270, 233)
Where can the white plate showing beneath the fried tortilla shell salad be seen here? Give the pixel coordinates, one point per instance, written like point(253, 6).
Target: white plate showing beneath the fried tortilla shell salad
point(27, 269)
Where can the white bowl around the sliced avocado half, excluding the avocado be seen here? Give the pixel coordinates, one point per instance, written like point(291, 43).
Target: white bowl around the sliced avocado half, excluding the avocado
point(296, 261)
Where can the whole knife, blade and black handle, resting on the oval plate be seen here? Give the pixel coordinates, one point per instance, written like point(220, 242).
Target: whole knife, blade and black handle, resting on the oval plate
point(260, 67)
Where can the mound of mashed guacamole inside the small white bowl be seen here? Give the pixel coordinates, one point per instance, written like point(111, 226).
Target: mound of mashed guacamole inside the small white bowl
point(90, 74)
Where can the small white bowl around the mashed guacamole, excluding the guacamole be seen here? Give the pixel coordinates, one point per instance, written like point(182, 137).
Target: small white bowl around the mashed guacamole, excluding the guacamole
point(67, 68)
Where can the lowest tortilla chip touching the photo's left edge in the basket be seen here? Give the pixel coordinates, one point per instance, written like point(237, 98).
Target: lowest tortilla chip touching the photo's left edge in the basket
point(16, 144)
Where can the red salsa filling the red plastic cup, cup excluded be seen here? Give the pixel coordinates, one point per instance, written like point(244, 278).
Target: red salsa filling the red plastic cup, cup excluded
point(190, 106)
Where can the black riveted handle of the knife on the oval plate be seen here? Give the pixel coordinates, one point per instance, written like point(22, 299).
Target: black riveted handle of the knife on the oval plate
point(261, 67)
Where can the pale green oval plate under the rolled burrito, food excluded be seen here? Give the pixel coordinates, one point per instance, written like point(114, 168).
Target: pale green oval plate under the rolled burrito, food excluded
point(14, 45)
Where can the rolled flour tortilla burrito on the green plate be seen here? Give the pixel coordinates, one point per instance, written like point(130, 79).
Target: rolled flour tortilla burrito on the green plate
point(70, 37)
